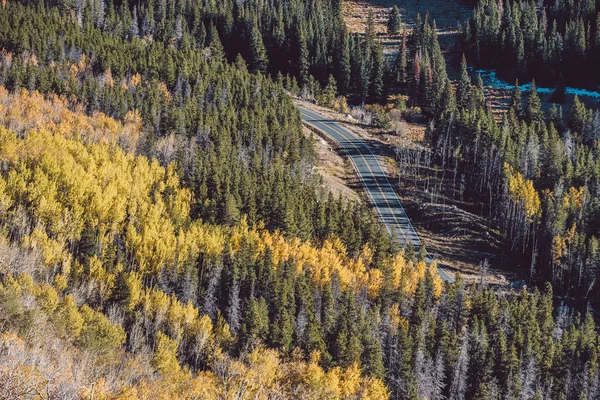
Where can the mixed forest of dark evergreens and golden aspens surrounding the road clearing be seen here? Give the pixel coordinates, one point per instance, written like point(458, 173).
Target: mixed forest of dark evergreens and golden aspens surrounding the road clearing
point(163, 233)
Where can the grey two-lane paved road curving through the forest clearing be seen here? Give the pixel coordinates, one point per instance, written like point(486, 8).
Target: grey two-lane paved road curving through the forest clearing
point(380, 191)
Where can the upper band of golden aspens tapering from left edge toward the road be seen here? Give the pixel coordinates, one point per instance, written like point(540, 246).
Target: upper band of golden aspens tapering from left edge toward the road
point(73, 178)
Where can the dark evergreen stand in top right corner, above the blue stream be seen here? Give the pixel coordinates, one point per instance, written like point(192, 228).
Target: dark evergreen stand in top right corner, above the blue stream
point(555, 42)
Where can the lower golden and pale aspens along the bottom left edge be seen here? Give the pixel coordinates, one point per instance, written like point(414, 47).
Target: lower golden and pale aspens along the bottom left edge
point(262, 374)
